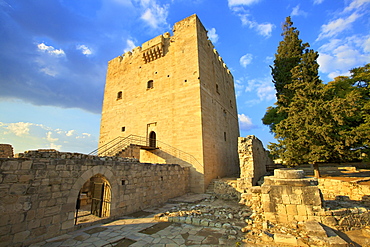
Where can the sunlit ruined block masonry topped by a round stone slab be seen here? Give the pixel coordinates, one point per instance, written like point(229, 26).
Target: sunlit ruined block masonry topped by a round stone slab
point(289, 198)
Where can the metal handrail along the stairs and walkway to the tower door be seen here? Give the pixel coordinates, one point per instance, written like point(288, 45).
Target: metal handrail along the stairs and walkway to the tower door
point(120, 143)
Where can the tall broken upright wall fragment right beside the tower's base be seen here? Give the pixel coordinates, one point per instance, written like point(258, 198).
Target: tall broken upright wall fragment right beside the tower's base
point(253, 161)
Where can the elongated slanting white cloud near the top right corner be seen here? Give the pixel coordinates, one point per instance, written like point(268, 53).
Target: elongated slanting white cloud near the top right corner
point(337, 26)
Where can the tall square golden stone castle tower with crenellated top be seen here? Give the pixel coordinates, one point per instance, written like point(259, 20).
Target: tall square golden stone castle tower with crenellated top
point(177, 93)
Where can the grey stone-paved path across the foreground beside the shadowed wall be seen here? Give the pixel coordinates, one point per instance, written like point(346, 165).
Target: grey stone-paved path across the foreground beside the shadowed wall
point(142, 231)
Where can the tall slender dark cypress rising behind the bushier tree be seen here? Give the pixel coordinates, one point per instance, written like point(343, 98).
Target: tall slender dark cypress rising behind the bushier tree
point(288, 56)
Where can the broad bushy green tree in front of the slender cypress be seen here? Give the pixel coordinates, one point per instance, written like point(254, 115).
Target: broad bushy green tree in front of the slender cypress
point(324, 122)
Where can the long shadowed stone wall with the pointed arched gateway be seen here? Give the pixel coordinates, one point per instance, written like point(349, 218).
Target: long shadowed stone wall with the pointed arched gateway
point(39, 190)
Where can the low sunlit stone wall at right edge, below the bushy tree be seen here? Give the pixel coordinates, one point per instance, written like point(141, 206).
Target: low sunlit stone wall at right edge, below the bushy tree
point(353, 190)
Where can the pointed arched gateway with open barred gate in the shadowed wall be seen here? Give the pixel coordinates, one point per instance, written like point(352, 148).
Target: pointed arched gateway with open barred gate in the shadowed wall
point(94, 200)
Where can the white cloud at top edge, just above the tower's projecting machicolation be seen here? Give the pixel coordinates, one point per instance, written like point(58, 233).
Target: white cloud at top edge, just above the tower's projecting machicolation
point(154, 14)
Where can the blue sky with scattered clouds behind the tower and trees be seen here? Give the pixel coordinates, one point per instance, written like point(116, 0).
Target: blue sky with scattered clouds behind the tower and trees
point(54, 56)
